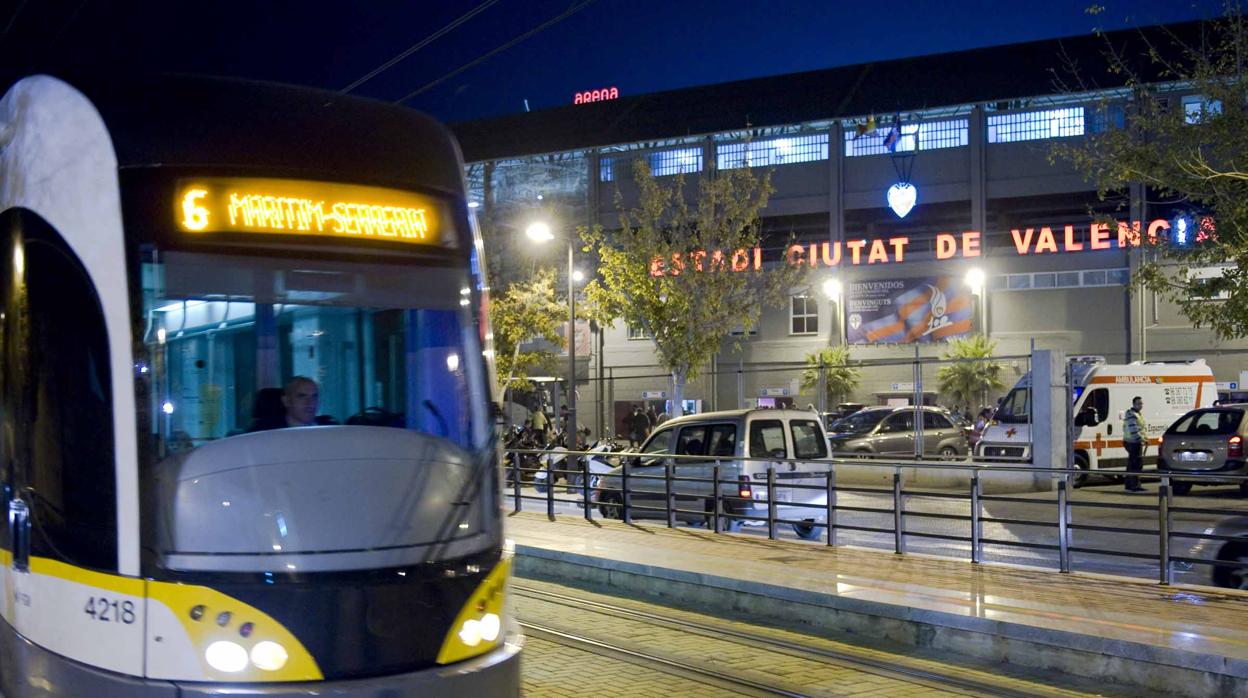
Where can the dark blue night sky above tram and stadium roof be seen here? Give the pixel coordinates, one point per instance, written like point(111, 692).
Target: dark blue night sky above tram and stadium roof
point(636, 46)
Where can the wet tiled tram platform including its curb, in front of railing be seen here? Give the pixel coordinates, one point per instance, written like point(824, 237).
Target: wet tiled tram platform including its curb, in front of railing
point(1179, 641)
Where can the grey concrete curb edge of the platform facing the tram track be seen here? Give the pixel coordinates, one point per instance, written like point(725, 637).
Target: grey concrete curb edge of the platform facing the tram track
point(1133, 665)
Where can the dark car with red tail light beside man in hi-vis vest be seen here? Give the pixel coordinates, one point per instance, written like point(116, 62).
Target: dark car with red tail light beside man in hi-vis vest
point(1209, 441)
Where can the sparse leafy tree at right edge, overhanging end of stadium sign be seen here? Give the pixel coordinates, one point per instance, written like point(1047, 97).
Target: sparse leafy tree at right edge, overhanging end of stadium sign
point(1191, 155)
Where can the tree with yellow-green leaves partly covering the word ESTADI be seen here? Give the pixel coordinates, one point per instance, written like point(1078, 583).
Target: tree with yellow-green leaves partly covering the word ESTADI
point(668, 270)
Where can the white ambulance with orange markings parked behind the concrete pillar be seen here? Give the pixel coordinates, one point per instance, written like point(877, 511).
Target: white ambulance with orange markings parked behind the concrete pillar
point(1103, 395)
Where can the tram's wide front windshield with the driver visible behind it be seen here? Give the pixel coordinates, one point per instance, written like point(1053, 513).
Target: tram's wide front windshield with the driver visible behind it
point(384, 345)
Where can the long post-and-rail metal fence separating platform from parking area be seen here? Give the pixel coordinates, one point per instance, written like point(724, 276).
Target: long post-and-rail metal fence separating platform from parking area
point(1064, 530)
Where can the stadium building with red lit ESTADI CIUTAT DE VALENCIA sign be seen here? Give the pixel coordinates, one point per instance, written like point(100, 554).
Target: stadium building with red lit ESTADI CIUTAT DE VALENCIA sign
point(925, 189)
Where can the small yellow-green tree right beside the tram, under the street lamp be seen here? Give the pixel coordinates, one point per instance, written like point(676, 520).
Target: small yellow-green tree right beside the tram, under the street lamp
point(527, 312)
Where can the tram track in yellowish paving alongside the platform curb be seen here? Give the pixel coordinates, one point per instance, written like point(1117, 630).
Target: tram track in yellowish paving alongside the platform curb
point(756, 641)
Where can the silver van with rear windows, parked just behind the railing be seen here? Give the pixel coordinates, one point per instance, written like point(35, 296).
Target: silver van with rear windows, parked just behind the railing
point(791, 441)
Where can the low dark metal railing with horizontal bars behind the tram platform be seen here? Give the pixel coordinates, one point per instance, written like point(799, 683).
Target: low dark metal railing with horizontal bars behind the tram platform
point(726, 493)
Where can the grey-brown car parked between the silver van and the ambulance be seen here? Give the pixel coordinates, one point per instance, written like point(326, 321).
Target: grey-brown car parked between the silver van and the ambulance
point(890, 431)
